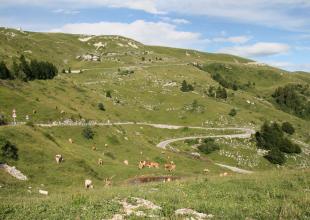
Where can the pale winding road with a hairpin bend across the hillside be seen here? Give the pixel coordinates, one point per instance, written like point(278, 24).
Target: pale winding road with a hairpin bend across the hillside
point(246, 133)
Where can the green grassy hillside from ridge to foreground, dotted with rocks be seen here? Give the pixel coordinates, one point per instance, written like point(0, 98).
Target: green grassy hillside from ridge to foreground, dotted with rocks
point(133, 97)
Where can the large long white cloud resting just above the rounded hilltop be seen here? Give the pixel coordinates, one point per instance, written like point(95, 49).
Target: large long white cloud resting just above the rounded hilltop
point(153, 33)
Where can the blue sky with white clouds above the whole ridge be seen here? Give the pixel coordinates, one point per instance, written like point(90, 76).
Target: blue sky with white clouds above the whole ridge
point(276, 32)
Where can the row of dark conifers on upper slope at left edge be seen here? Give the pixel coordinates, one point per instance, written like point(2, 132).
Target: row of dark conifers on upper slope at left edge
point(28, 71)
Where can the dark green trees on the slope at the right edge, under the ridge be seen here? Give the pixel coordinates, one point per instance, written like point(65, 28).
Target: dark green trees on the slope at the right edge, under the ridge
point(294, 98)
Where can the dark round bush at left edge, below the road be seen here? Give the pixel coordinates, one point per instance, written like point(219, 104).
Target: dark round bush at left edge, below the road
point(8, 150)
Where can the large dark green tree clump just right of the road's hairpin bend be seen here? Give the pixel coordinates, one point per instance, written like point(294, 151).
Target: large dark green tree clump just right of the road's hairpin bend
point(271, 137)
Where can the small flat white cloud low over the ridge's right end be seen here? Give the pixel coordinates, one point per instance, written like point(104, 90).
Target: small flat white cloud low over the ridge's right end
point(257, 50)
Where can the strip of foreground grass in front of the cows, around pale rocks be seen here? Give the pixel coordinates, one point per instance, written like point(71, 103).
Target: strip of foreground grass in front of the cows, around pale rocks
point(280, 194)
